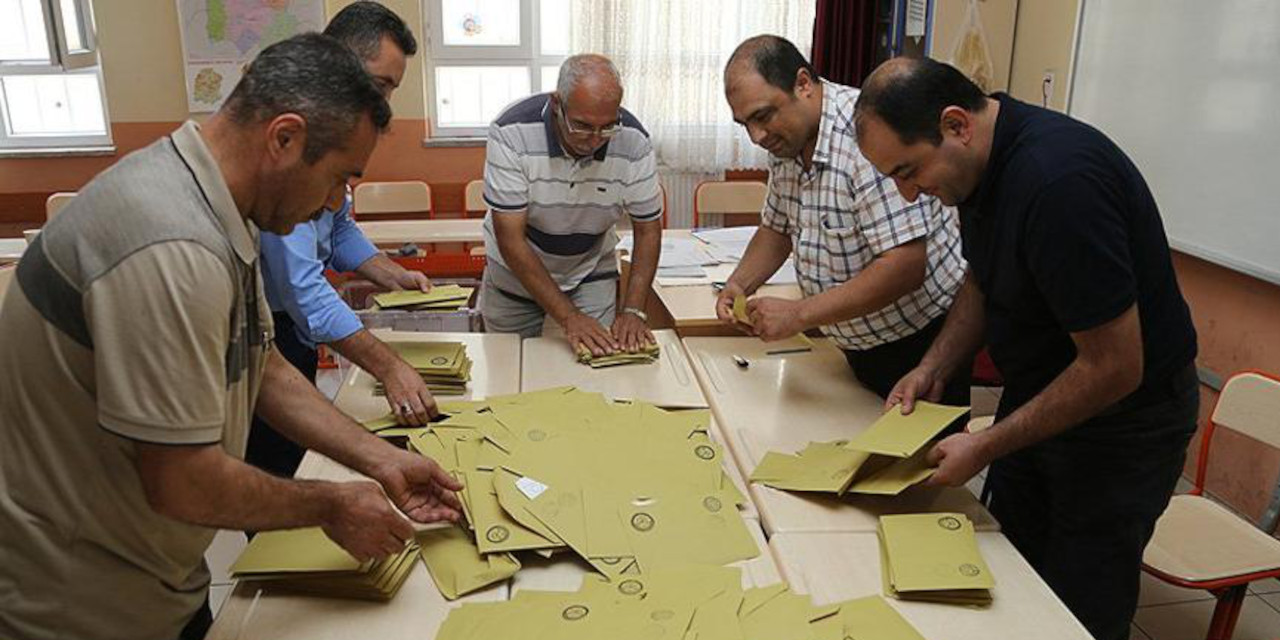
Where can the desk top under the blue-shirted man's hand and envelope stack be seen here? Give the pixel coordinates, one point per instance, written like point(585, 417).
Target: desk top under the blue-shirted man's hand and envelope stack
point(496, 372)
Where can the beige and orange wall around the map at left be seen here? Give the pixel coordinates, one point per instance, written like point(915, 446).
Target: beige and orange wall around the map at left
point(147, 99)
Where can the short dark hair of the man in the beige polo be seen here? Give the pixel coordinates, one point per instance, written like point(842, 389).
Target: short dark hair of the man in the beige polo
point(316, 77)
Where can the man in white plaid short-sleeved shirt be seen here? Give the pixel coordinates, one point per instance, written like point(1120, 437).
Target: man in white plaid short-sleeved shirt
point(877, 273)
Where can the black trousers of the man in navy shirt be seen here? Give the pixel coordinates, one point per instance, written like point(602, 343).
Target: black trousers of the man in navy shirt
point(1082, 506)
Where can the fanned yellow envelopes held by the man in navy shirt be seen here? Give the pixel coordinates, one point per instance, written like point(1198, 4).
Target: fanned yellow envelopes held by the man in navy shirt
point(884, 460)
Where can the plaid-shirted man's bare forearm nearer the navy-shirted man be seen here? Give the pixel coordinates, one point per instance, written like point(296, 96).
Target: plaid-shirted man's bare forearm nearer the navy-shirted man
point(886, 280)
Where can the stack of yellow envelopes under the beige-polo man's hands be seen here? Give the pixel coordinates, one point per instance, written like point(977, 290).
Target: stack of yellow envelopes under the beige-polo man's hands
point(308, 561)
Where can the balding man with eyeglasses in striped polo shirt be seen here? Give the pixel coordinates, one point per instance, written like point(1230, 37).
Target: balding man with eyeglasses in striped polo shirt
point(561, 170)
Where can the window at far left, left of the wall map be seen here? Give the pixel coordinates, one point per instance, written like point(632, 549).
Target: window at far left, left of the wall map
point(51, 85)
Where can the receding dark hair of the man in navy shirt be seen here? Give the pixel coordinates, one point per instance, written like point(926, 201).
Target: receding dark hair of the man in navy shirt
point(911, 94)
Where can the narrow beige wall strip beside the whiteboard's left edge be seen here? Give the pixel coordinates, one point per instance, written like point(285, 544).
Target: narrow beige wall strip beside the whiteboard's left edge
point(1044, 42)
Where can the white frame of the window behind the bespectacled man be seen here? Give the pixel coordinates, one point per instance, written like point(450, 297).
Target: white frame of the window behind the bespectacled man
point(528, 56)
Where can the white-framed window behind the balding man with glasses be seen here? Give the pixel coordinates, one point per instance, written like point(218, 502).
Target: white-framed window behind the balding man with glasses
point(486, 54)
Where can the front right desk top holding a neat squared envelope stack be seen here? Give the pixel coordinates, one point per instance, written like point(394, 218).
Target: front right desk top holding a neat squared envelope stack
point(833, 568)
